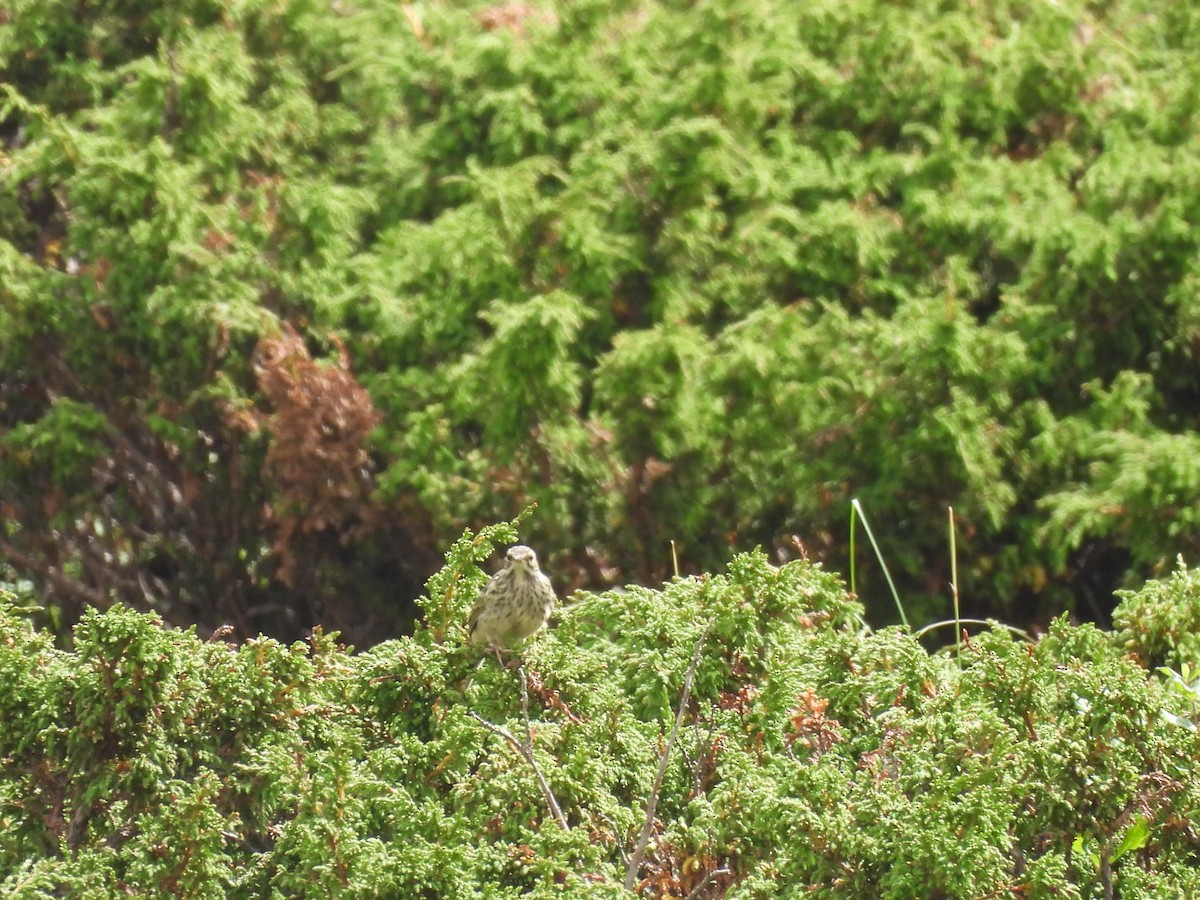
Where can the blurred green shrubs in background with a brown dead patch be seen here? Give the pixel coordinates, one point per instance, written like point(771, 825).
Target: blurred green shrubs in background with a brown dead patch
point(293, 292)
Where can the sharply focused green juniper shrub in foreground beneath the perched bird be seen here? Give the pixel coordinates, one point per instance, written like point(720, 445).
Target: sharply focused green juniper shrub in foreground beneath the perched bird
point(813, 759)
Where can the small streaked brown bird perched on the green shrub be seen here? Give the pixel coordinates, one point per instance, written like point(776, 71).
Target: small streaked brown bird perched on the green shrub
point(514, 604)
